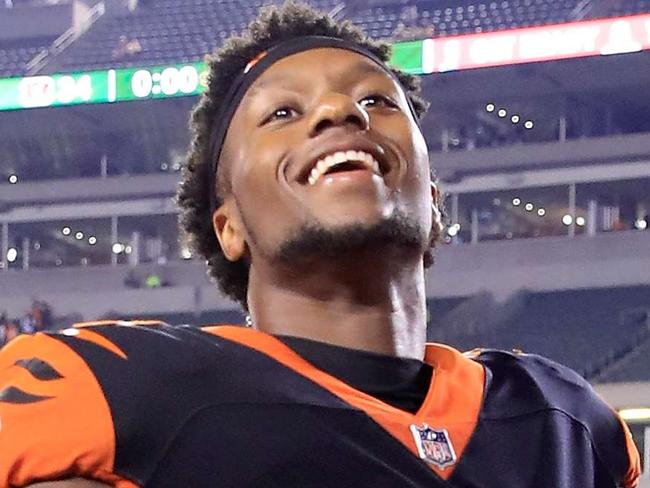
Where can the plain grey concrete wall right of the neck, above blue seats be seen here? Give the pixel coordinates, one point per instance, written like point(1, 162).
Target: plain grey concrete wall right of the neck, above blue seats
point(543, 264)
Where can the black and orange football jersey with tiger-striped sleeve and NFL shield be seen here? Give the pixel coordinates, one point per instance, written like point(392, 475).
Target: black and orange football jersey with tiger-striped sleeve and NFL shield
point(162, 406)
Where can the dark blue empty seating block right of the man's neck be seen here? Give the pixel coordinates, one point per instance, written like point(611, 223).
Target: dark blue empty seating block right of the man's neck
point(590, 330)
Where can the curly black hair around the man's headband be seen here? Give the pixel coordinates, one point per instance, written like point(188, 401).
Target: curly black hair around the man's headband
point(273, 25)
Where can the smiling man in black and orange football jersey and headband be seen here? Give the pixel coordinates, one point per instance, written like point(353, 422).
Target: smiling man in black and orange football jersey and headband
point(308, 191)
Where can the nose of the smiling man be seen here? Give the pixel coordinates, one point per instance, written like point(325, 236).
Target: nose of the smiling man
point(336, 110)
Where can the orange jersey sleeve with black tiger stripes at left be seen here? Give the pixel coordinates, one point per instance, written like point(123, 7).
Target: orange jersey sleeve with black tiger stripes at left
point(56, 423)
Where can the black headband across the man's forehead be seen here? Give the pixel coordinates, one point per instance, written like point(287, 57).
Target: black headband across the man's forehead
point(252, 71)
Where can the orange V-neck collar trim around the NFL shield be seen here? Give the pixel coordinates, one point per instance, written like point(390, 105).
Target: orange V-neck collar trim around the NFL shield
point(452, 403)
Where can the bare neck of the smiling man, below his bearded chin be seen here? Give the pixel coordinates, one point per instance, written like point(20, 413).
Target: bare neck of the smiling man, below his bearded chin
point(372, 302)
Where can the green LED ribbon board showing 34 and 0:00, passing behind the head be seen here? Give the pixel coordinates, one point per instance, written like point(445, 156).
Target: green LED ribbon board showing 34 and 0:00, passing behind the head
point(120, 85)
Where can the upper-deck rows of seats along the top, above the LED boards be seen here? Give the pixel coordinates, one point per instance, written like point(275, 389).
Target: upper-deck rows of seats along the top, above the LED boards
point(166, 31)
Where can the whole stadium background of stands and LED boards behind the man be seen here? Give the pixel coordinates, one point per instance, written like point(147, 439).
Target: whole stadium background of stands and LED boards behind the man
point(538, 129)
